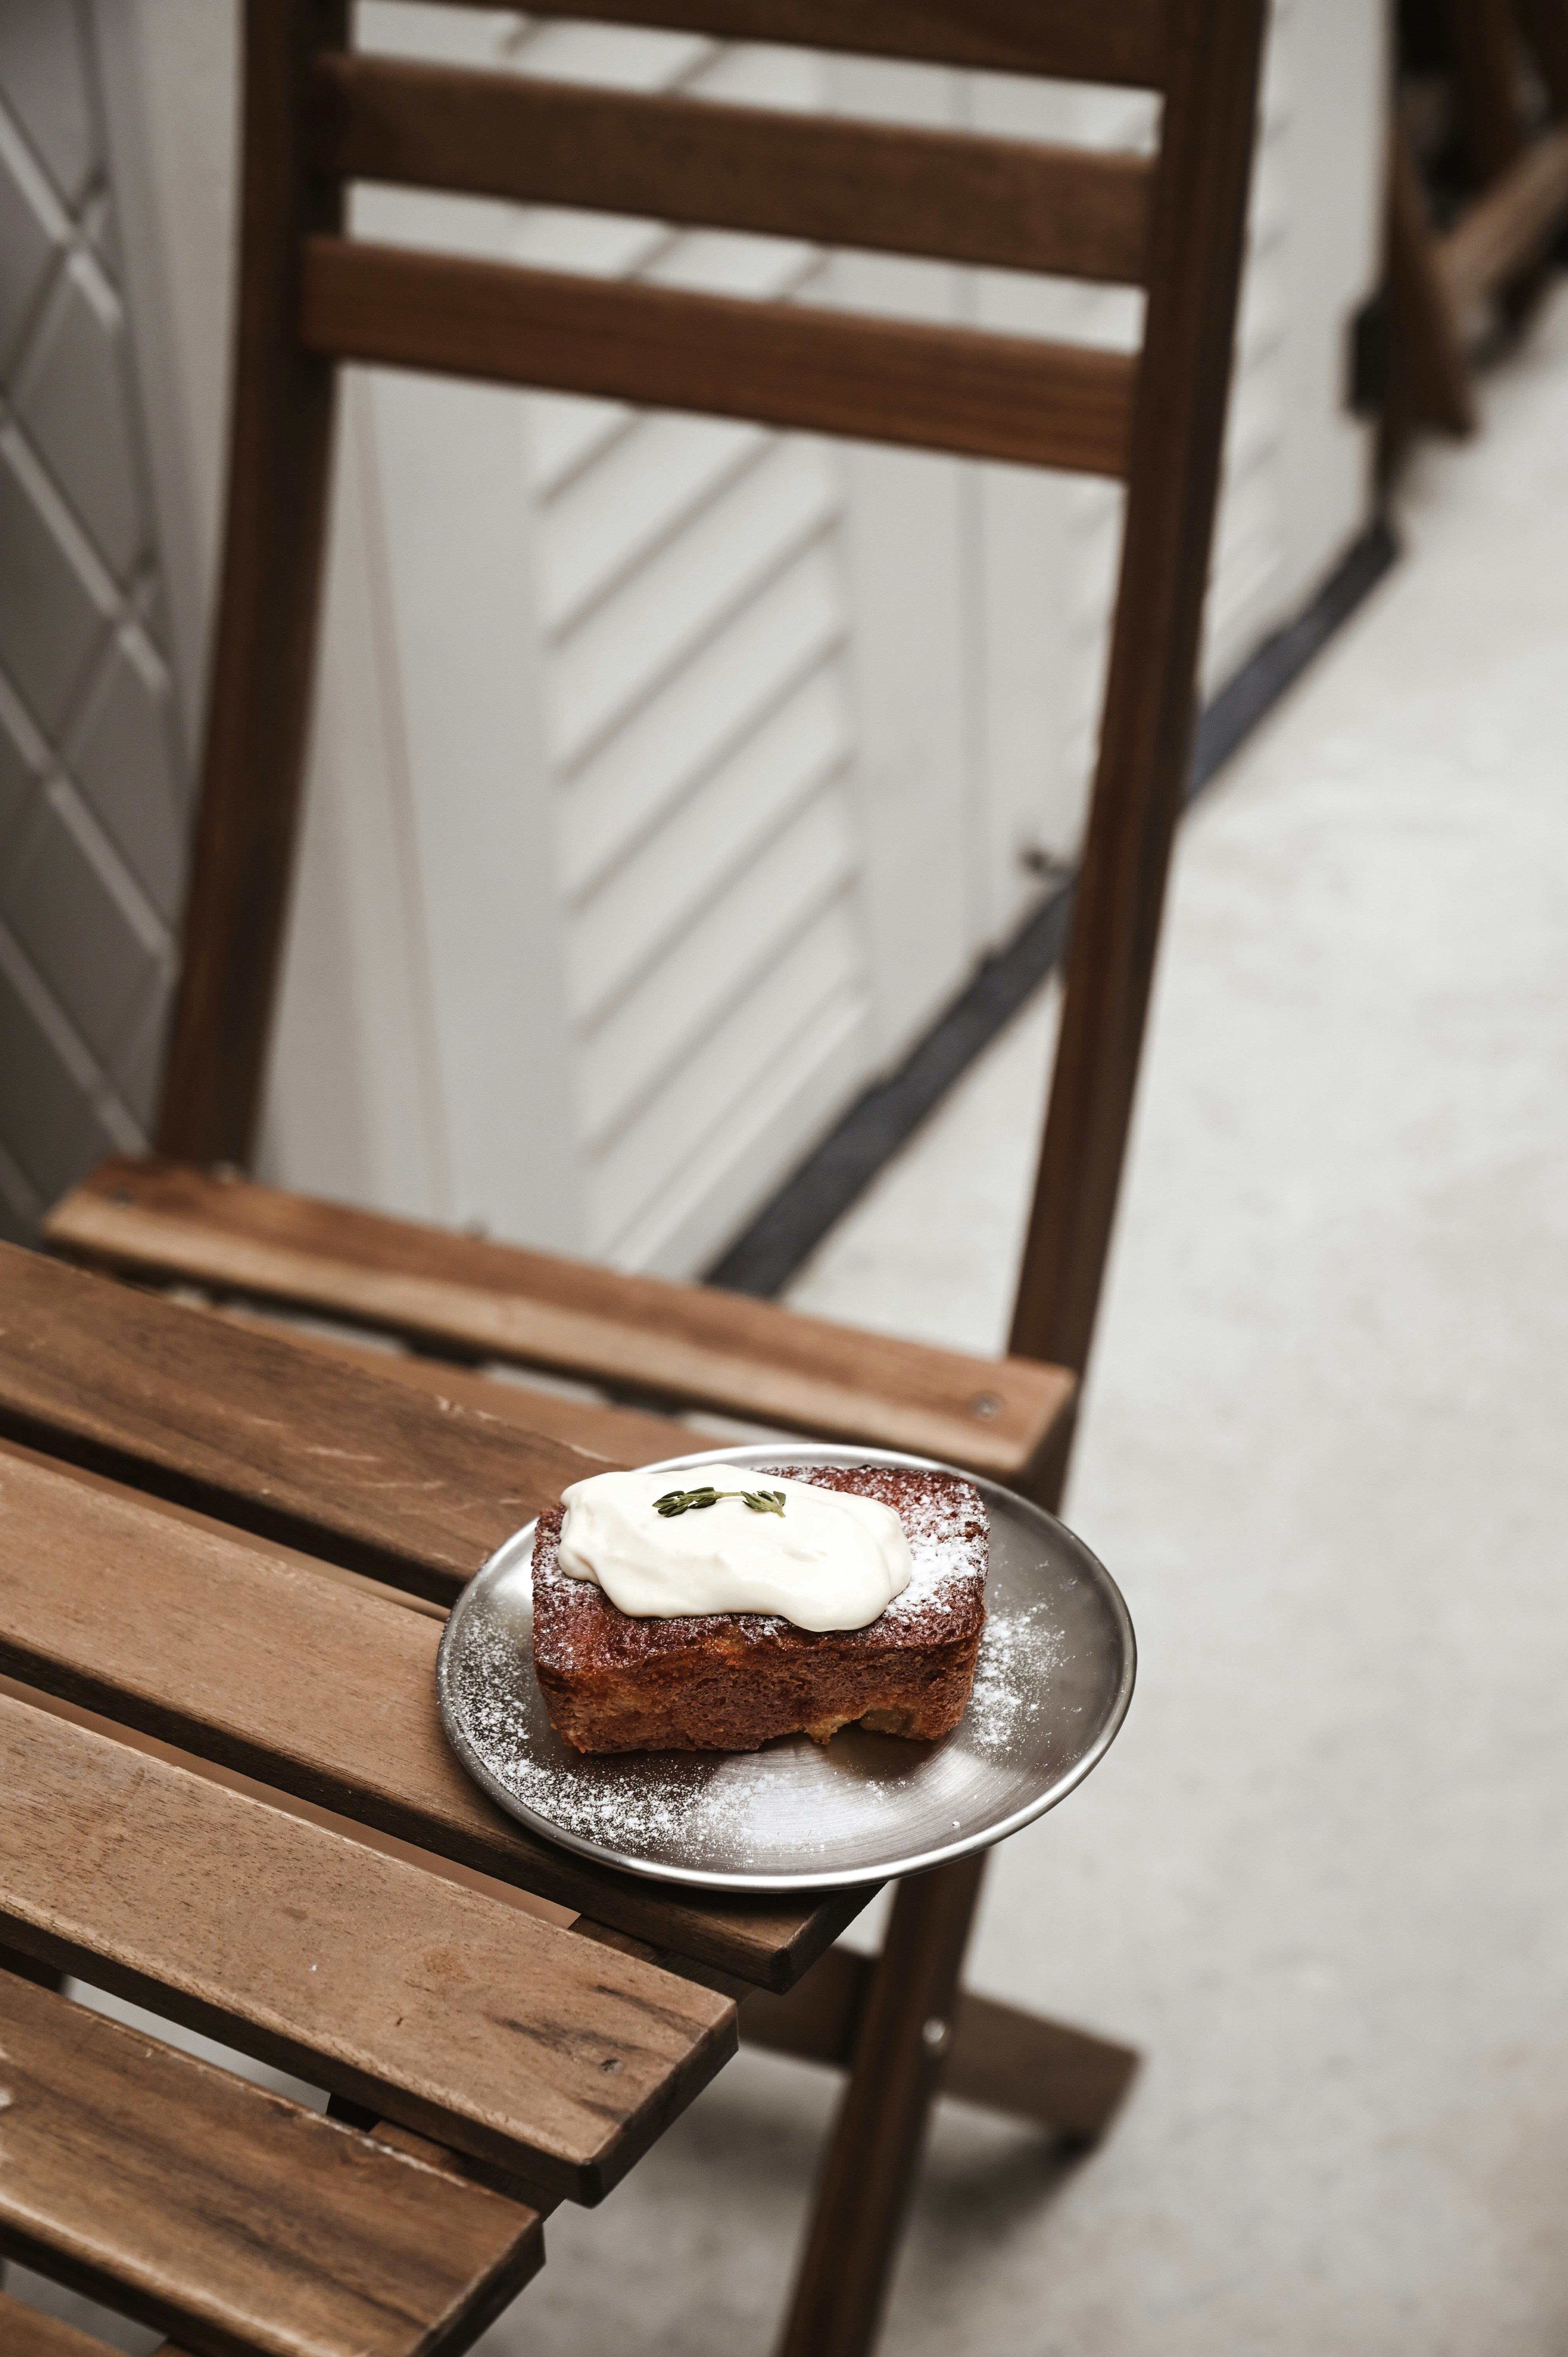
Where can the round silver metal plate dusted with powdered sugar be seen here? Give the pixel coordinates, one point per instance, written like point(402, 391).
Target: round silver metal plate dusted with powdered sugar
point(1053, 1689)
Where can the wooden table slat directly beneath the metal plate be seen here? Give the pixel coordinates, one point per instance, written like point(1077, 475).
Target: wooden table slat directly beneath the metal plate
point(319, 1691)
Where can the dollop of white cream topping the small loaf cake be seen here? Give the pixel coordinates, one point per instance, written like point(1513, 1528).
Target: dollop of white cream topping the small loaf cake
point(829, 1562)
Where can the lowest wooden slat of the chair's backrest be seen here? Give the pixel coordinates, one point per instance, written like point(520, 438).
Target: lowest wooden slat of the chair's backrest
point(999, 397)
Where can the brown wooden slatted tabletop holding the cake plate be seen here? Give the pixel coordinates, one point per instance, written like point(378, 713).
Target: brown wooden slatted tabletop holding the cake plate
point(225, 1564)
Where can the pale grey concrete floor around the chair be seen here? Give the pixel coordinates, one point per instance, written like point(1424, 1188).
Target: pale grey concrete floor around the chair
point(1322, 1880)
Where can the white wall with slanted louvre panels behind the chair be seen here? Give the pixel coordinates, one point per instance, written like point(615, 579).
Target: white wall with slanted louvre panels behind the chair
point(671, 774)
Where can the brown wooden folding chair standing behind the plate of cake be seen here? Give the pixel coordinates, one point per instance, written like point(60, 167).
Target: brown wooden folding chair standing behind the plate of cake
point(317, 119)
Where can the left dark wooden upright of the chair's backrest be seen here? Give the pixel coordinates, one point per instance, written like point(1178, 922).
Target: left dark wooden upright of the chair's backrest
point(265, 652)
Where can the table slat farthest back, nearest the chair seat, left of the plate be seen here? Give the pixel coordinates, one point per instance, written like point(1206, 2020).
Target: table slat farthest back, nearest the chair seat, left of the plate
point(284, 1441)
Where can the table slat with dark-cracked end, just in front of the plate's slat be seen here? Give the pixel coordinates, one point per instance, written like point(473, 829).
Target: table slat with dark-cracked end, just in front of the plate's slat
point(444, 2012)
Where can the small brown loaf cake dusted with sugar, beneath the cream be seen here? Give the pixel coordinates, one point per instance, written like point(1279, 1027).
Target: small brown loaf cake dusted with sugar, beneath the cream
point(732, 1682)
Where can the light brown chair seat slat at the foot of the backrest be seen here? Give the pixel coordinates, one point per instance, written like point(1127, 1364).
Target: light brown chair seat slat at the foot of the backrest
point(678, 1342)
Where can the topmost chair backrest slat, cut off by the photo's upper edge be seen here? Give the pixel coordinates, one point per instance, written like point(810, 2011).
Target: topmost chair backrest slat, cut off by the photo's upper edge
point(1119, 44)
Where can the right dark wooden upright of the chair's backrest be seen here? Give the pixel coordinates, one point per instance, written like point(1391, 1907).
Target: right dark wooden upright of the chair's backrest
point(1201, 190)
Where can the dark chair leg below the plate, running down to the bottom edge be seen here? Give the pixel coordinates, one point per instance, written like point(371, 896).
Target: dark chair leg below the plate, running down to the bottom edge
point(878, 2134)
